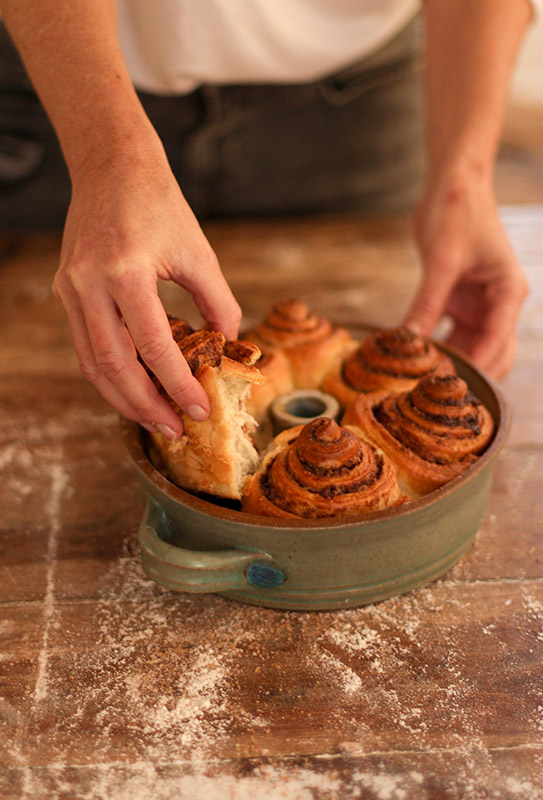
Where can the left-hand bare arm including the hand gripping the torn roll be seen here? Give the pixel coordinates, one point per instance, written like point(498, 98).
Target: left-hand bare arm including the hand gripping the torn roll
point(128, 223)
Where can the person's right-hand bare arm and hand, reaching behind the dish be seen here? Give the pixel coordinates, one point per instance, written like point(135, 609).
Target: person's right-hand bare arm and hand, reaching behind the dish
point(470, 270)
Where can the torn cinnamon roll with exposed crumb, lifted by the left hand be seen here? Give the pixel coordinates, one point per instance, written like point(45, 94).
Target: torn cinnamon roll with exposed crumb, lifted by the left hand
point(214, 456)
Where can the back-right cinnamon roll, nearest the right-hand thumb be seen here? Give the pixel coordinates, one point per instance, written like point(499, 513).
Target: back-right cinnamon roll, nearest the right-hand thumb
point(393, 359)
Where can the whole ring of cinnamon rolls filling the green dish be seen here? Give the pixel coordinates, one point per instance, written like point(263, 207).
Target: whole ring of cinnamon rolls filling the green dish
point(422, 434)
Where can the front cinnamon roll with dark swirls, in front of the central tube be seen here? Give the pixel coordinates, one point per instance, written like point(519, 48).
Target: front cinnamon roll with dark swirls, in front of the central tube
point(321, 470)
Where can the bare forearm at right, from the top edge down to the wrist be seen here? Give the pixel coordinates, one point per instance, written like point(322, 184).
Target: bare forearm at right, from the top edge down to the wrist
point(471, 47)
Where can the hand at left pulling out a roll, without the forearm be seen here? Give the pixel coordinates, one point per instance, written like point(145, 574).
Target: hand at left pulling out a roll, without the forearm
point(128, 225)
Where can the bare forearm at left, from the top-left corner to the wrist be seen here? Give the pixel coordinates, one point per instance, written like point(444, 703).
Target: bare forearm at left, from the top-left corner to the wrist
point(71, 52)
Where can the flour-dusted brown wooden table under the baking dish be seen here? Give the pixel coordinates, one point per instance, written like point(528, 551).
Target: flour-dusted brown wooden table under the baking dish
point(114, 688)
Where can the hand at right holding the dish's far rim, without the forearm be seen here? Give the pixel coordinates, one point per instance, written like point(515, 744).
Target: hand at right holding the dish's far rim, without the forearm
point(470, 273)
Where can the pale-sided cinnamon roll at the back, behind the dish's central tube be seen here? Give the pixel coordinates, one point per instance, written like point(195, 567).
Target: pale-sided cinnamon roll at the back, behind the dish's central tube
point(310, 343)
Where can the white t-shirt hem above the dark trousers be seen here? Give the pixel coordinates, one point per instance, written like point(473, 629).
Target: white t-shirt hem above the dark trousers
point(172, 46)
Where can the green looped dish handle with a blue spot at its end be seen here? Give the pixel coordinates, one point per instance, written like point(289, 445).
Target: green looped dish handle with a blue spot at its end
point(186, 570)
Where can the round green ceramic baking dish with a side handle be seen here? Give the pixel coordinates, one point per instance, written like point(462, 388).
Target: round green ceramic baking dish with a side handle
point(189, 544)
